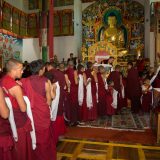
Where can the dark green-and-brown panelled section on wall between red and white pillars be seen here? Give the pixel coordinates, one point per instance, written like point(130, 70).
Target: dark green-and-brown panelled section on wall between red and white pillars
point(63, 25)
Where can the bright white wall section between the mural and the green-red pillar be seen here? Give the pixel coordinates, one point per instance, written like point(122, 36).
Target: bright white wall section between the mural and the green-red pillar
point(31, 50)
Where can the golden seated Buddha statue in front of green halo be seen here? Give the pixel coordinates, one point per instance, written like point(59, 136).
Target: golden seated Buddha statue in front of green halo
point(112, 34)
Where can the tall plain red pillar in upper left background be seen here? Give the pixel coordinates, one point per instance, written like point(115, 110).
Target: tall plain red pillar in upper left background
point(50, 30)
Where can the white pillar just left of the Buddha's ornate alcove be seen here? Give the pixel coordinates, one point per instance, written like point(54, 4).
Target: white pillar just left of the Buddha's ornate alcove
point(78, 26)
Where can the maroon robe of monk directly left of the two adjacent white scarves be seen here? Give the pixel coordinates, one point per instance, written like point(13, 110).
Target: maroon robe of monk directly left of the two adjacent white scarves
point(72, 97)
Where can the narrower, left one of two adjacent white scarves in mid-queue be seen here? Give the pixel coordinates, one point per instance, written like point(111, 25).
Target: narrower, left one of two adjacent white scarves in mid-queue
point(80, 90)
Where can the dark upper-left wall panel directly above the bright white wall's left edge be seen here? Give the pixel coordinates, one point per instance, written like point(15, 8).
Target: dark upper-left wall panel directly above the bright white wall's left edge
point(23, 24)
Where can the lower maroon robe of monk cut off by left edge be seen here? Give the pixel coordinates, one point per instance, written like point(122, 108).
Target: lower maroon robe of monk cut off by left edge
point(6, 142)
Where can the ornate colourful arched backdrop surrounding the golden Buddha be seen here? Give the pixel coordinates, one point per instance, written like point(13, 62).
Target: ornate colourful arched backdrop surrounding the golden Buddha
point(131, 18)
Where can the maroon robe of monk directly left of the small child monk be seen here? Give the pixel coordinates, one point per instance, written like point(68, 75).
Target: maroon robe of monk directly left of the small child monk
point(101, 106)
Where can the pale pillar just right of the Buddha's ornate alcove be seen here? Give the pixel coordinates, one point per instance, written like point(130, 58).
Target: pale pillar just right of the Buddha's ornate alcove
point(147, 29)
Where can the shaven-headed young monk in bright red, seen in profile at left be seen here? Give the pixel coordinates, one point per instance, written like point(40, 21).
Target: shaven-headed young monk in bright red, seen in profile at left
point(23, 148)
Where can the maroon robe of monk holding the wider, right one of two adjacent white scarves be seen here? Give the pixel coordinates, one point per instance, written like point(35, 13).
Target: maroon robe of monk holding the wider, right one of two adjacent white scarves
point(92, 113)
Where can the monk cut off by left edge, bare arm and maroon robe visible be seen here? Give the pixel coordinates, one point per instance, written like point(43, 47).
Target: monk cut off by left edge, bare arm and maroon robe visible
point(6, 143)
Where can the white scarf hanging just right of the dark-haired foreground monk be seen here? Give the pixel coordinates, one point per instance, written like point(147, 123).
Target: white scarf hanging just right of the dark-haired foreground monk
point(55, 103)
